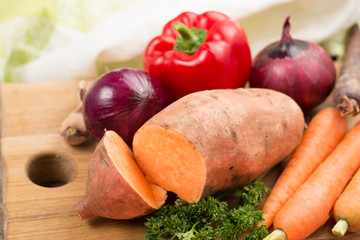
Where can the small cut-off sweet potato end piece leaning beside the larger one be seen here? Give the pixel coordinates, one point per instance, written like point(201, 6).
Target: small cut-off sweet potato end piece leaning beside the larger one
point(116, 187)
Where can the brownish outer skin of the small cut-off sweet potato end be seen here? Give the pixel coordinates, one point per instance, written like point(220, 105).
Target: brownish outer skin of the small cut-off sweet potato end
point(108, 194)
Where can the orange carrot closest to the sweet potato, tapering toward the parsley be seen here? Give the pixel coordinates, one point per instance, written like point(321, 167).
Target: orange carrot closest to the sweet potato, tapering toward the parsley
point(324, 132)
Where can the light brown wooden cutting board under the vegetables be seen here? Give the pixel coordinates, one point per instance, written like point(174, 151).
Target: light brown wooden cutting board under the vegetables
point(42, 177)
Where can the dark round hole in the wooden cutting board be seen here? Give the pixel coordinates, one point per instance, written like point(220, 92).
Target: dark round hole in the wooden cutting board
point(51, 170)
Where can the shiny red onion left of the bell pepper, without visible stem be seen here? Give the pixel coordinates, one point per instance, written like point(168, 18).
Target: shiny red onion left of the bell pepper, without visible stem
point(122, 100)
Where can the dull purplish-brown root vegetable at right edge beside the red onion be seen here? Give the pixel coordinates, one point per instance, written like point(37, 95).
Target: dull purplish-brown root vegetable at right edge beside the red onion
point(346, 90)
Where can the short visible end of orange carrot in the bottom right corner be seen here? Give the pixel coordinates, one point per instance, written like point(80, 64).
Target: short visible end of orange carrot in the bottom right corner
point(347, 208)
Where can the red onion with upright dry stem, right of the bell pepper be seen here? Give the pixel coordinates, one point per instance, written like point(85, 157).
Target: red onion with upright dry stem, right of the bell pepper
point(300, 69)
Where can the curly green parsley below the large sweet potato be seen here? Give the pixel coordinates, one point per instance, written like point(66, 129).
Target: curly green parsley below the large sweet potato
point(210, 218)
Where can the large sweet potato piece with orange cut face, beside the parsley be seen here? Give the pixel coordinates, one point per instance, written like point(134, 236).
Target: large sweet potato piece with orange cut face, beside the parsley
point(215, 140)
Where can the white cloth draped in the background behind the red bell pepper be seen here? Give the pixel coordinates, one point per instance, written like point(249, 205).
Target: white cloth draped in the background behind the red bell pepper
point(122, 37)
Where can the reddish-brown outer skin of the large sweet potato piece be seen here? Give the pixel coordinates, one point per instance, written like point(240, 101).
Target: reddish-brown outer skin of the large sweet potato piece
point(240, 134)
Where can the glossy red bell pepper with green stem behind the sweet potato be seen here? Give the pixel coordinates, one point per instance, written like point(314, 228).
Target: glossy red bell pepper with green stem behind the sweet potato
point(199, 52)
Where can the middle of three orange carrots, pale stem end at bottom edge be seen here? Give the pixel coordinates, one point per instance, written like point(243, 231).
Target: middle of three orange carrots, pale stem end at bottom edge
point(309, 207)
